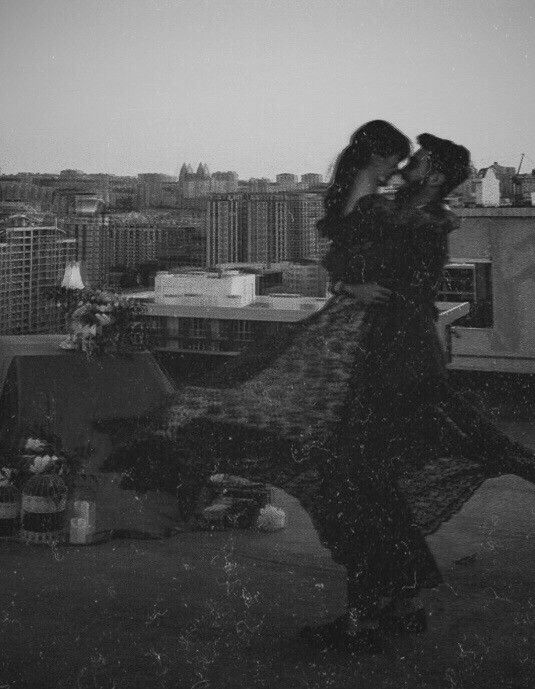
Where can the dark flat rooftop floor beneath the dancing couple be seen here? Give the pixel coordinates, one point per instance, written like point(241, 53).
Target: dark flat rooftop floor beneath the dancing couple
point(222, 610)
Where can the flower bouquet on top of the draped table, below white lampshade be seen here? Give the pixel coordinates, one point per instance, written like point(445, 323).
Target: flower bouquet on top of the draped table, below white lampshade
point(101, 321)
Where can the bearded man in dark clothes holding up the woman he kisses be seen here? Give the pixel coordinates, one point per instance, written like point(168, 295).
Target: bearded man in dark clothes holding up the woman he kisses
point(407, 383)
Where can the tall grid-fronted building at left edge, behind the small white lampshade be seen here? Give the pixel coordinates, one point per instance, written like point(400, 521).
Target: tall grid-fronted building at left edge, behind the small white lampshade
point(32, 260)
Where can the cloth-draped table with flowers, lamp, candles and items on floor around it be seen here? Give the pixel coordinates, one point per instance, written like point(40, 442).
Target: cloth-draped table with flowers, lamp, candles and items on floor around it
point(85, 454)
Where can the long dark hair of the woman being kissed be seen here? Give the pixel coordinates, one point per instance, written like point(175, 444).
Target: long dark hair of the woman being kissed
point(376, 136)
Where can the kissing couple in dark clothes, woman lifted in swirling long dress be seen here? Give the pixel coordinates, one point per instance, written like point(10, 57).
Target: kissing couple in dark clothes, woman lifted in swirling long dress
point(361, 390)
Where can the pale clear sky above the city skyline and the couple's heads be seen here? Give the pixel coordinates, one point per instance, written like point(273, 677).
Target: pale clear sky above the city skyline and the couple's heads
point(258, 86)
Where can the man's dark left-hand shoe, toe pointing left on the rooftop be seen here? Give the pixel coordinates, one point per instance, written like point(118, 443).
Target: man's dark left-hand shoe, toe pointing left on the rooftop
point(340, 635)
